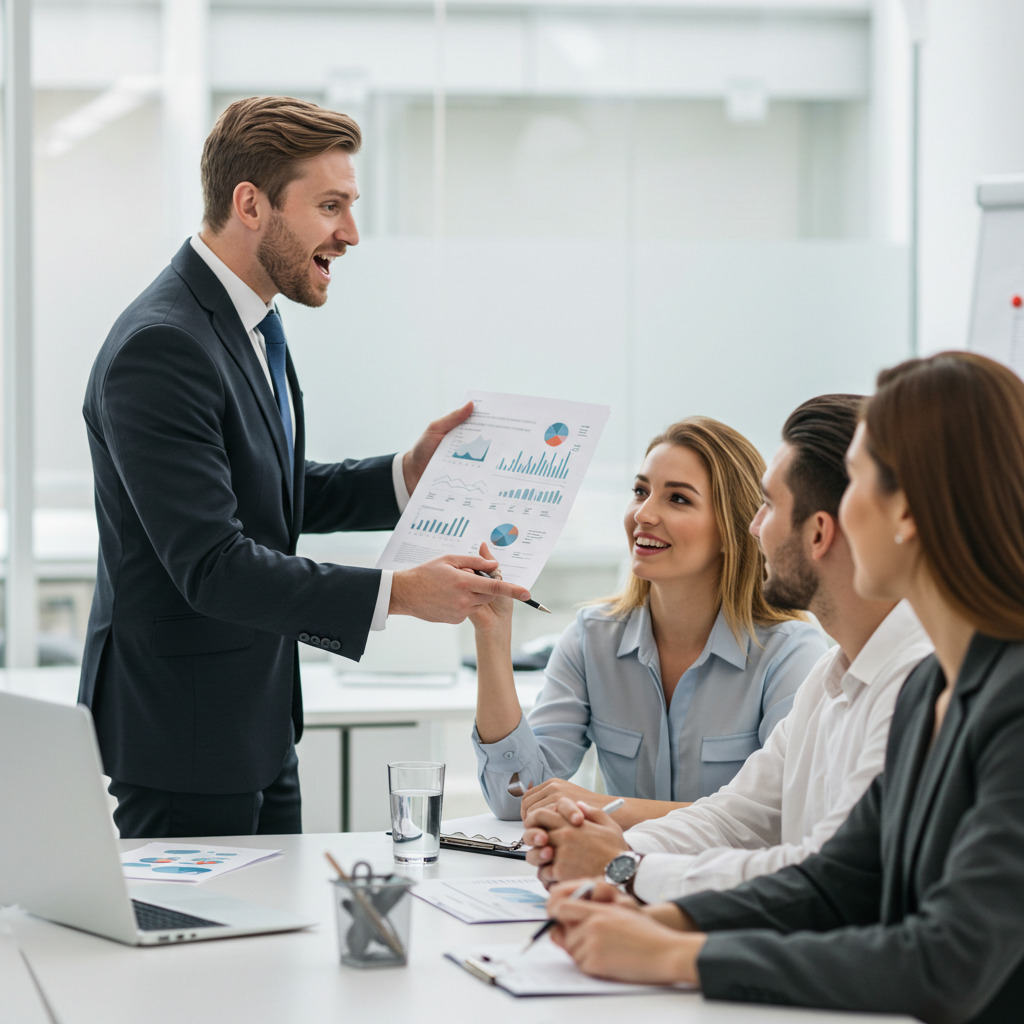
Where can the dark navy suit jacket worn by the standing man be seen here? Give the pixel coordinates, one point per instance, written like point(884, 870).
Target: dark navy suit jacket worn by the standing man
point(191, 666)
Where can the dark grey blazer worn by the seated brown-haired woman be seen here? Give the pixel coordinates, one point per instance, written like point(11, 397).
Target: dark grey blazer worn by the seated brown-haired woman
point(917, 905)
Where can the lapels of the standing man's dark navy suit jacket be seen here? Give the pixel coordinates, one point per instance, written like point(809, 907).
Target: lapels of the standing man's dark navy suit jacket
point(225, 320)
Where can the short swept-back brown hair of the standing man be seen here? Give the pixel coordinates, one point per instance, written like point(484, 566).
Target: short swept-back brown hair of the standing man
point(262, 140)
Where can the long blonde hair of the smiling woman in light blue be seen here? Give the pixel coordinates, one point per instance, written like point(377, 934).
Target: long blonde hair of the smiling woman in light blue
point(736, 467)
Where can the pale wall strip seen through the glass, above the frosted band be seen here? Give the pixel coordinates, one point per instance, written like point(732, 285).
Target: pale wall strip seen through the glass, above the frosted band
point(621, 168)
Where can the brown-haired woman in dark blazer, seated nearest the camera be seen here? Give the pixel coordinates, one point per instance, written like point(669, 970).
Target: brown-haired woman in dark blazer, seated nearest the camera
point(917, 906)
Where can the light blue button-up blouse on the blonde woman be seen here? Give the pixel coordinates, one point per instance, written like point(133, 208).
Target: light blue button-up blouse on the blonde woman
point(604, 687)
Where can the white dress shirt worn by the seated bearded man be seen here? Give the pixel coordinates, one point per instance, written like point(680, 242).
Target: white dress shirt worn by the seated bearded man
point(792, 795)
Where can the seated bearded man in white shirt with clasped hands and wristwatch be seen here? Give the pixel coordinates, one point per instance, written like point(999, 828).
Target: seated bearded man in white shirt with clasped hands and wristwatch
point(792, 795)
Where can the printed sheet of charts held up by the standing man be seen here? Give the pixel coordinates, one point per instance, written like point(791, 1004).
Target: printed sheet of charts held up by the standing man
point(508, 476)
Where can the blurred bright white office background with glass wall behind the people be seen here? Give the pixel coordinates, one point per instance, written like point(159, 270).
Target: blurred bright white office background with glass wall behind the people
point(669, 206)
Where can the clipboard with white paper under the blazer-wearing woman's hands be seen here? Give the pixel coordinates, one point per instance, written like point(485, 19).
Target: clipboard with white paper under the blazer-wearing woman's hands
point(543, 970)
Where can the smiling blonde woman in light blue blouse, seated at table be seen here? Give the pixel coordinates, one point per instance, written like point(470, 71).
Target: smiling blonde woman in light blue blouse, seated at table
point(677, 679)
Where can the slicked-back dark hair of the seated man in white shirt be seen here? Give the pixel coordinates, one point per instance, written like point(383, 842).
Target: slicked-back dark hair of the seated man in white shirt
point(820, 433)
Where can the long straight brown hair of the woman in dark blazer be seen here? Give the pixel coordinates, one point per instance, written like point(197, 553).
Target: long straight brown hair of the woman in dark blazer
point(949, 432)
